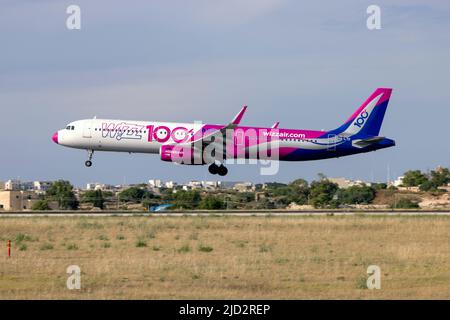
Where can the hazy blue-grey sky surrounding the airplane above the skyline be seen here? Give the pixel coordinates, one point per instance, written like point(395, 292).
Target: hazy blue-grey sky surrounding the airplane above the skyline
point(307, 65)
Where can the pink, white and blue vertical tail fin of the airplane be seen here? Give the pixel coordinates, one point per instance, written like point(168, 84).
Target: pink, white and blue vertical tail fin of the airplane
point(368, 118)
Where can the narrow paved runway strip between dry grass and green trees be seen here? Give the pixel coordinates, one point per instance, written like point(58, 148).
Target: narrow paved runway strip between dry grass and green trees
point(225, 213)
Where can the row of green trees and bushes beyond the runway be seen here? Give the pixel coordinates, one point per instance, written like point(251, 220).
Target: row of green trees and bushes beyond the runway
point(320, 193)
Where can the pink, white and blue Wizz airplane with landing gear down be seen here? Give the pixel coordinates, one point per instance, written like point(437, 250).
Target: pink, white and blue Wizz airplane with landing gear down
point(175, 141)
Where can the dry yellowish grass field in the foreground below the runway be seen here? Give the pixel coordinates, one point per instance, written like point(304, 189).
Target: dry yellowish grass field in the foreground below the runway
point(226, 257)
